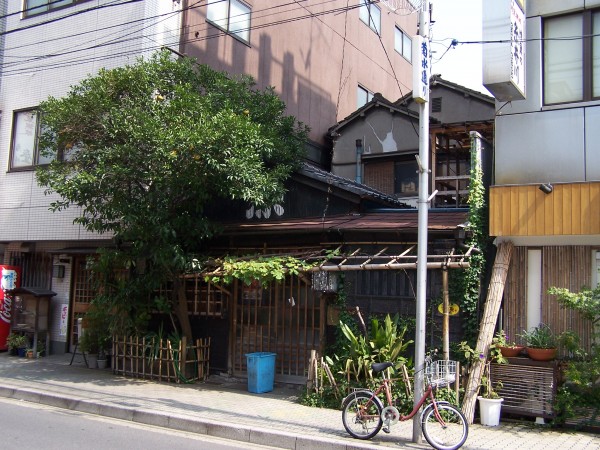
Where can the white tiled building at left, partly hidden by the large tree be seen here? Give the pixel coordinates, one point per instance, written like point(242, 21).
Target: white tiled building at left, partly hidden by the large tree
point(48, 46)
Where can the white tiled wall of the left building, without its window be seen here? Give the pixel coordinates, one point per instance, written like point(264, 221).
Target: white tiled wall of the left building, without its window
point(43, 56)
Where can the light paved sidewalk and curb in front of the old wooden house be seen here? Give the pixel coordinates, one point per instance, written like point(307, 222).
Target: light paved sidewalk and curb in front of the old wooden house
point(225, 409)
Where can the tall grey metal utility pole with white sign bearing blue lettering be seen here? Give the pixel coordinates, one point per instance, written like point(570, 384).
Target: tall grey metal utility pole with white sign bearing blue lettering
point(421, 77)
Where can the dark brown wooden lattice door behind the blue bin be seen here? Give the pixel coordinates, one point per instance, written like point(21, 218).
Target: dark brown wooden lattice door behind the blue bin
point(285, 318)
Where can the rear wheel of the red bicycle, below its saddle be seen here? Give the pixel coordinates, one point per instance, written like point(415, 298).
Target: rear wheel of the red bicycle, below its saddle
point(362, 416)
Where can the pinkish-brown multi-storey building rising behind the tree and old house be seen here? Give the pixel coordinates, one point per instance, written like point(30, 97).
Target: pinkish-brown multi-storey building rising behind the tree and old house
point(324, 59)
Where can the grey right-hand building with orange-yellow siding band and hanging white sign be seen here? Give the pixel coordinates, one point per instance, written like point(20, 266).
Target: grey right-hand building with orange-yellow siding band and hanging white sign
point(546, 192)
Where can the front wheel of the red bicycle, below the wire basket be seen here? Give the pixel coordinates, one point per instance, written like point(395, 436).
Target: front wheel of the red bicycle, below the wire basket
point(450, 435)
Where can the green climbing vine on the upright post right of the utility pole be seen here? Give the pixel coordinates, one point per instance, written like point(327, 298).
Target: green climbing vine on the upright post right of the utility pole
point(465, 285)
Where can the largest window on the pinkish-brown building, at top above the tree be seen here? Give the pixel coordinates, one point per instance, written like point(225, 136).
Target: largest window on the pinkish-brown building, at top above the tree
point(232, 16)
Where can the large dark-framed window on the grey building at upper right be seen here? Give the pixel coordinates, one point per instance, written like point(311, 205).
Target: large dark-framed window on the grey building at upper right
point(572, 66)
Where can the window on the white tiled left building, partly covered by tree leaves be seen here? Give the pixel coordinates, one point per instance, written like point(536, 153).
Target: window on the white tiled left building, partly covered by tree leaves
point(25, 153)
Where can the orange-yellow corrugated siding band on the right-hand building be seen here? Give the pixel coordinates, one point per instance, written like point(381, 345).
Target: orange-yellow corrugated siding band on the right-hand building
point(571, 209)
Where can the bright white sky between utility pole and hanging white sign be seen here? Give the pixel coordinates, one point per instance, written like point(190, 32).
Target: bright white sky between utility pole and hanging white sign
point(460, 20)
